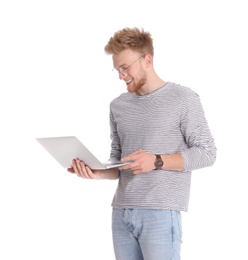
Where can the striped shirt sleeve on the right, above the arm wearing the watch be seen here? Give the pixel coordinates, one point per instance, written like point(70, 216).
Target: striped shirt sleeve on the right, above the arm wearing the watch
point(201, 150)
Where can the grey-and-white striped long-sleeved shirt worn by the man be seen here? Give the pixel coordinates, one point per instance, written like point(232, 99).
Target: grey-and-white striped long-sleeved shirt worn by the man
point(169, 120)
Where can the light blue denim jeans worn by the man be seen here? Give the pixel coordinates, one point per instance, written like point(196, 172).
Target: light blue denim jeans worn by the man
point(143, 234)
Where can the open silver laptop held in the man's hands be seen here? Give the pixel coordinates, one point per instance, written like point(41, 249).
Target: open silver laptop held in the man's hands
point(66, 148)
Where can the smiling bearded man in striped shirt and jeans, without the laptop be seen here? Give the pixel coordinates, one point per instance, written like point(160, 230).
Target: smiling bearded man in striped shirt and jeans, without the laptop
point(161, 127)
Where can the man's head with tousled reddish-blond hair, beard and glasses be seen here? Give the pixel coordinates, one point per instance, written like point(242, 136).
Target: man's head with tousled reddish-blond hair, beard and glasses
point(132, 52)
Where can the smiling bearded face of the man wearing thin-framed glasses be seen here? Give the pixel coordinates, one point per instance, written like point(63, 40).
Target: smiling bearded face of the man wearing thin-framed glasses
point(130, 68)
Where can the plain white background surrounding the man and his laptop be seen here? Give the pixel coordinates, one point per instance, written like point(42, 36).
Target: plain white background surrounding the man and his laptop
point(55, 79)
